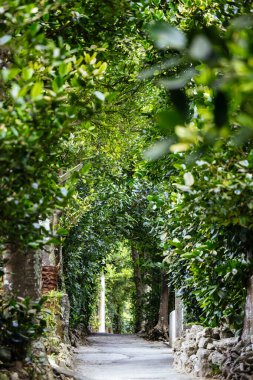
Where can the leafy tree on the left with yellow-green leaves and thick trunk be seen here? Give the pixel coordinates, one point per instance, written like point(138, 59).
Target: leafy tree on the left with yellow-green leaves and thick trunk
point(39, 77)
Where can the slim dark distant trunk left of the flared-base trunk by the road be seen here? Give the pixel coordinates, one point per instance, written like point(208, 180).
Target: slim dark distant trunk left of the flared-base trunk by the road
point(139, 289)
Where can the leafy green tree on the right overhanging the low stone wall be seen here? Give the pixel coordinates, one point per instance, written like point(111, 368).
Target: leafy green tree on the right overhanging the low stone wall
point(205, 205)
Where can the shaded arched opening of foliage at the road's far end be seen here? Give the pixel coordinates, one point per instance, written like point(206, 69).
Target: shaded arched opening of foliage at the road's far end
point(133, 283)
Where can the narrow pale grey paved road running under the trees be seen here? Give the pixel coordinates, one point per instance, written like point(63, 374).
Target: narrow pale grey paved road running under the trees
point(125, 357)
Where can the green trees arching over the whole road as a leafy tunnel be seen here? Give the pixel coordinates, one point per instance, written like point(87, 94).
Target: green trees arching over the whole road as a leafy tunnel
point(125, 132)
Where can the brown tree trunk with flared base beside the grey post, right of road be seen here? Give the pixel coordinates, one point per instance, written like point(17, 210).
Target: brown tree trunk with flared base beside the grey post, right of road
point(161, 330)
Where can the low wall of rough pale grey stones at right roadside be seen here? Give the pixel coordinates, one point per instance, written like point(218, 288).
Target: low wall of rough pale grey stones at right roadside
point(206, 353)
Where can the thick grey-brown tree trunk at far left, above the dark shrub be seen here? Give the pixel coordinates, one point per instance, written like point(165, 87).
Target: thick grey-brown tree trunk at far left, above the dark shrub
point(22, 275)
